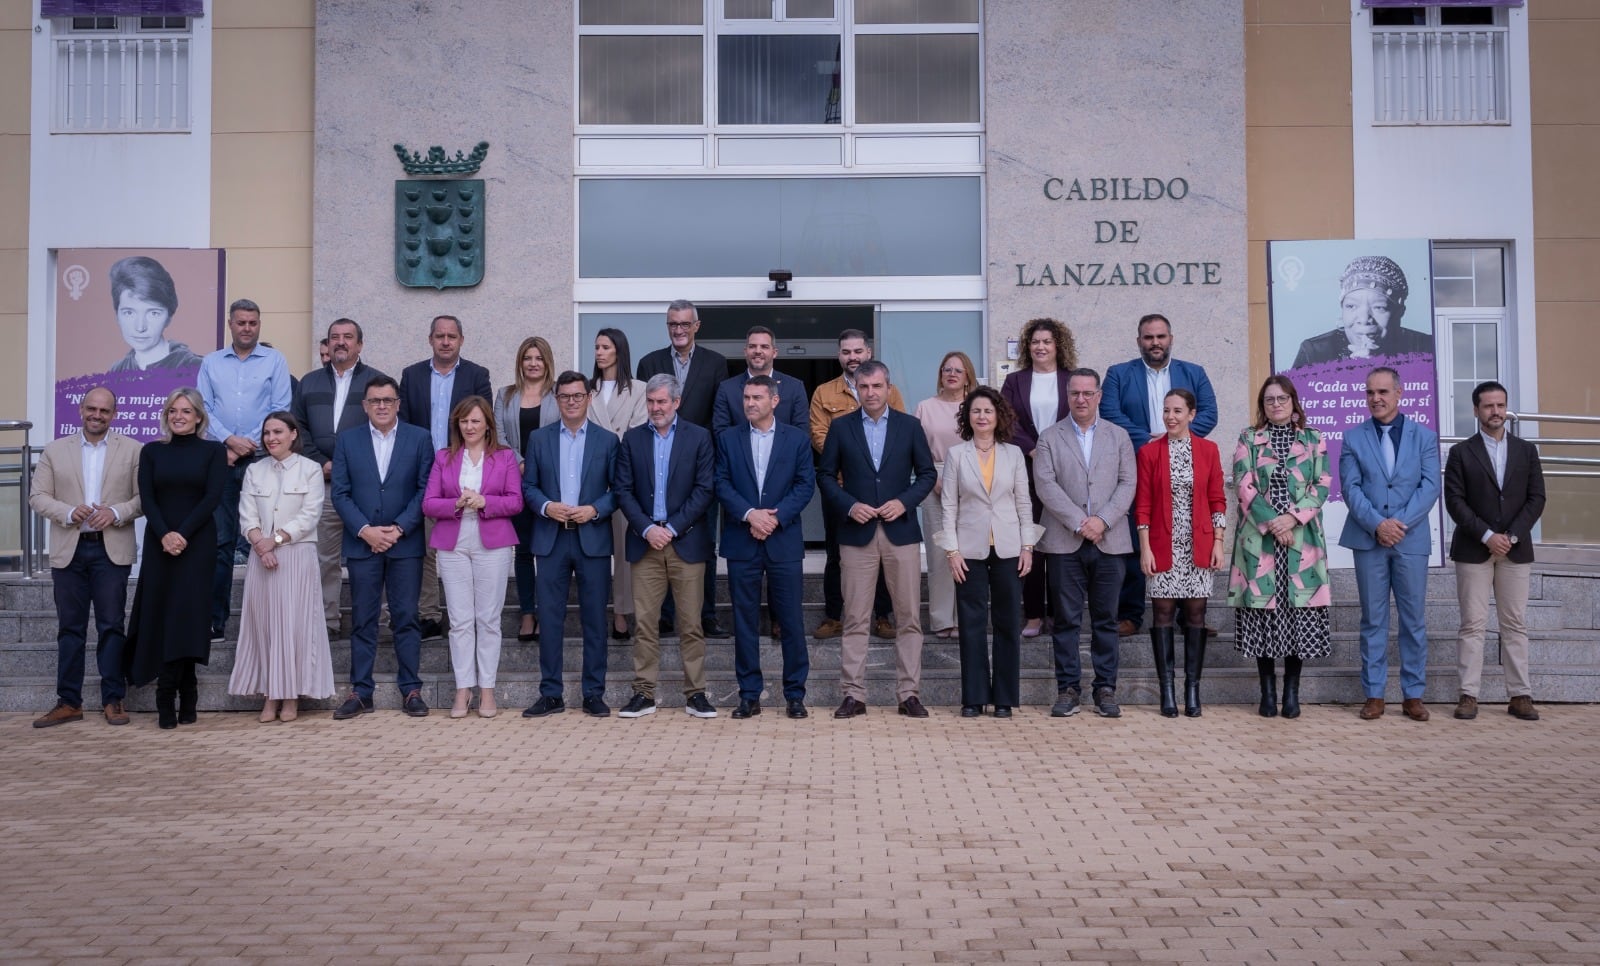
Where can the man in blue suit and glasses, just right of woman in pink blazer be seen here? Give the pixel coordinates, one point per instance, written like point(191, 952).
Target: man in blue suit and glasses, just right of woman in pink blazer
point(567, 485)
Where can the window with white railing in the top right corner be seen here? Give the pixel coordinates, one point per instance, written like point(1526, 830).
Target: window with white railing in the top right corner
point(1441, 65)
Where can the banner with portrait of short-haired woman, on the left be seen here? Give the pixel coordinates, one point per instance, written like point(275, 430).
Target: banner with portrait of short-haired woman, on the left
point(137, 322)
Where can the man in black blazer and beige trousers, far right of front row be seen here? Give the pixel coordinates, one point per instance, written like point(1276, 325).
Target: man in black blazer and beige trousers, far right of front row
point(1495, 493)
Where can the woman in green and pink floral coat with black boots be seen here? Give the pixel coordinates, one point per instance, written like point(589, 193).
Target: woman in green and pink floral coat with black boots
point(1279, 585)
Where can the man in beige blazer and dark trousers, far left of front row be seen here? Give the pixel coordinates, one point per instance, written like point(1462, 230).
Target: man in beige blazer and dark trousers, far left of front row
point(87, 485)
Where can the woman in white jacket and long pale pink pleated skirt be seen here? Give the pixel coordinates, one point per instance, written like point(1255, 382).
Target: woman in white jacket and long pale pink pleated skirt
point(282, 639)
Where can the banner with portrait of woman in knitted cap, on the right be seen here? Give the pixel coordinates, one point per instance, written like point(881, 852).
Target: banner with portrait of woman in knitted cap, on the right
point(1340, 309)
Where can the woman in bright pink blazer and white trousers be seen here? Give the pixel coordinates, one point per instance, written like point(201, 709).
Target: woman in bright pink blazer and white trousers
point(473, 493)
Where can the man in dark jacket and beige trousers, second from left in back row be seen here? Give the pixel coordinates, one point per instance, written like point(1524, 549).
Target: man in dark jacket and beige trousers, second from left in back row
point(329, 401)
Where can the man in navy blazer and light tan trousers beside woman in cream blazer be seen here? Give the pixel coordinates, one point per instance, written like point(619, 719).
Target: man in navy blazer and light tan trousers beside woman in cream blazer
point(876, 471)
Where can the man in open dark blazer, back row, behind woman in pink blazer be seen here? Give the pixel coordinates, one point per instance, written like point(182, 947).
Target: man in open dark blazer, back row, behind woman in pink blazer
point(428, 393)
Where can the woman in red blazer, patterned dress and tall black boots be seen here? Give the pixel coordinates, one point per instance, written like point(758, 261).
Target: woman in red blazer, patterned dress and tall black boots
point(1182, 514)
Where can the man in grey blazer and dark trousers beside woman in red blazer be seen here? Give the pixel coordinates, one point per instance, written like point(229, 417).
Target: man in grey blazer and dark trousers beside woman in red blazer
point(1084, 473)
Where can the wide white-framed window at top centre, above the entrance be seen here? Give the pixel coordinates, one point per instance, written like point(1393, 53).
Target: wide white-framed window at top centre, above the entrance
point(780, 63)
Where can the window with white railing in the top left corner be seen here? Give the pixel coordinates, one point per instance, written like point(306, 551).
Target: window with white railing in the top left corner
point(122, 74)
